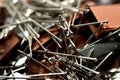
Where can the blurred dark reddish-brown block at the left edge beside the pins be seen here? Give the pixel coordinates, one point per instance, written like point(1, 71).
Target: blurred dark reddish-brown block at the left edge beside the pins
point(6, 45)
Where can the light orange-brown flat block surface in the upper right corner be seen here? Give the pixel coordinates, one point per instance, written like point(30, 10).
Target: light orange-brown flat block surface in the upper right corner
point(110, 12)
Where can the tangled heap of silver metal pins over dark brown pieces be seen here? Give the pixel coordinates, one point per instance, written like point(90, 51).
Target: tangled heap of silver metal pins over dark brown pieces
point(54, 43)
